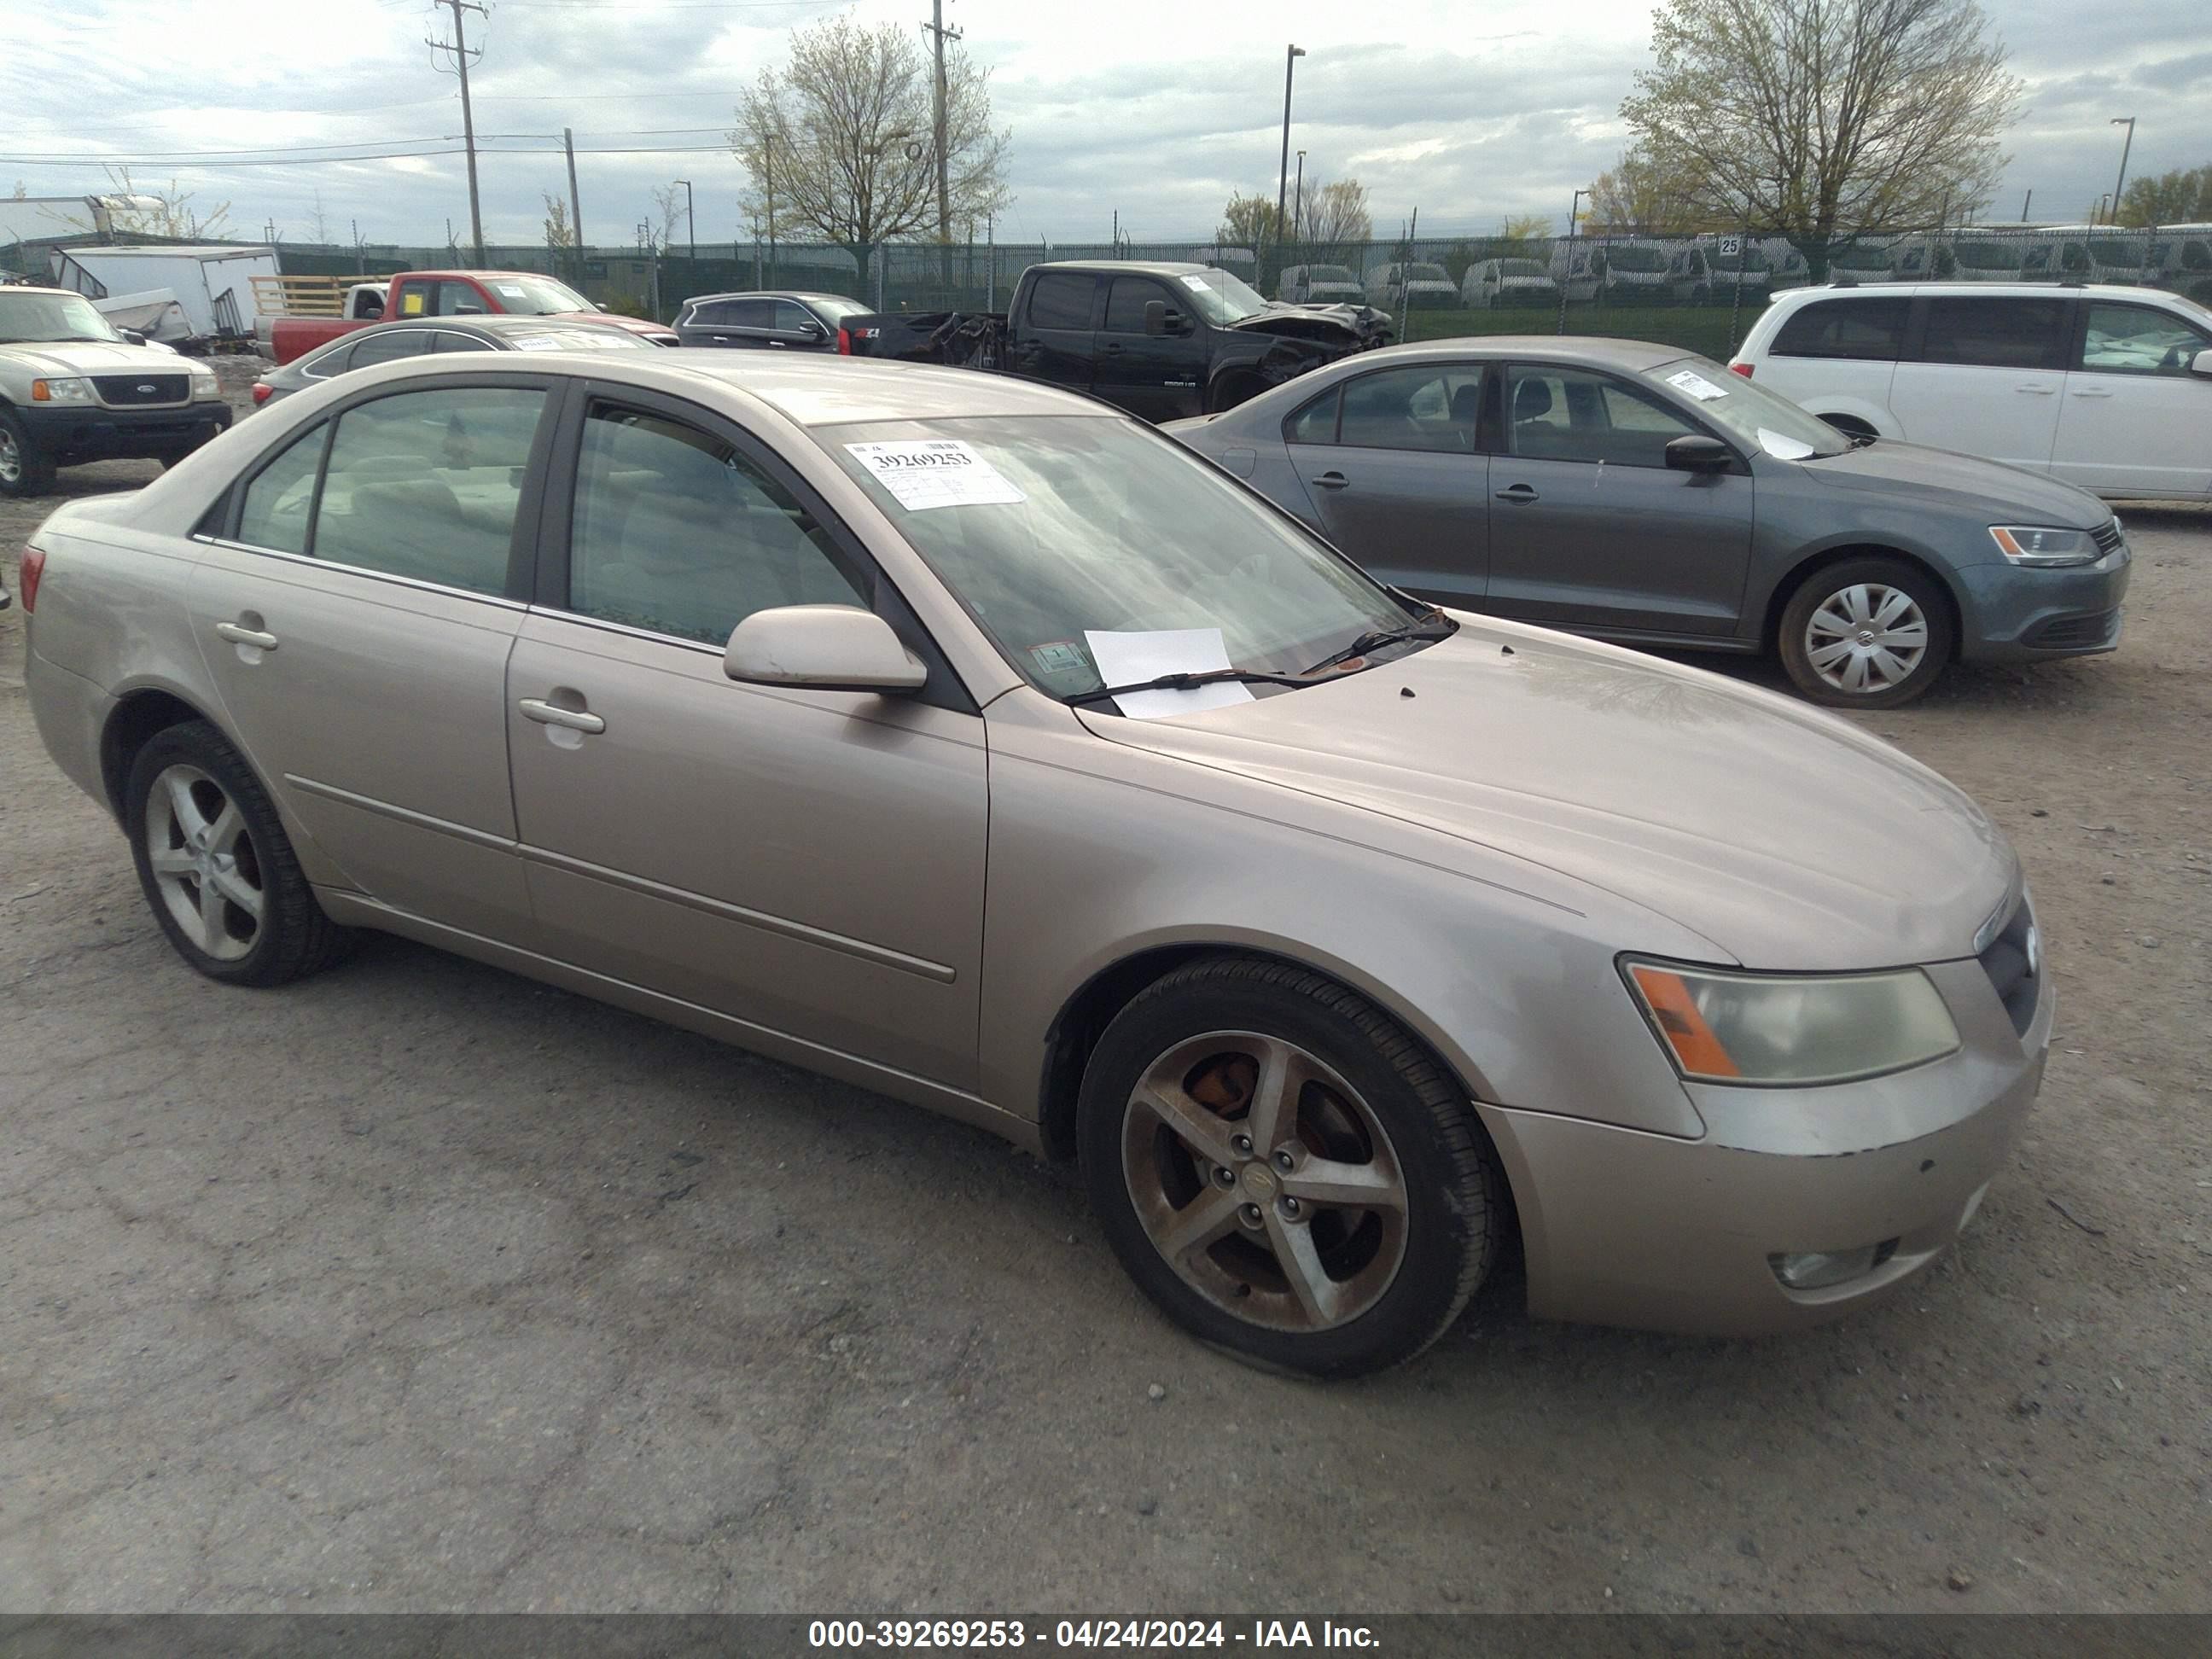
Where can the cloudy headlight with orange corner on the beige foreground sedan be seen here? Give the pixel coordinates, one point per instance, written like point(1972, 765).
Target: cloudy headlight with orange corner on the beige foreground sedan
point(1791, 1030)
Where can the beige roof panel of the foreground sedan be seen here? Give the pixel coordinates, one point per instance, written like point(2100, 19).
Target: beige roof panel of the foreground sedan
point(811, 390)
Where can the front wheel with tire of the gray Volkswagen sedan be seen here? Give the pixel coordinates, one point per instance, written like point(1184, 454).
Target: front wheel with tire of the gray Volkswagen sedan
point(1866, 634)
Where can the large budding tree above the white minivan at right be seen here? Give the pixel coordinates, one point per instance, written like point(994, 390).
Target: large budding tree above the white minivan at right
point(1826, 116)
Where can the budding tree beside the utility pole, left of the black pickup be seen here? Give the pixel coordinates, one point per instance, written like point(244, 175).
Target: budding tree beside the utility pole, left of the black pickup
point(842, 145)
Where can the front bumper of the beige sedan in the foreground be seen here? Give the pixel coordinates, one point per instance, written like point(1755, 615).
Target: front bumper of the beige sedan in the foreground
point(1660, 1233)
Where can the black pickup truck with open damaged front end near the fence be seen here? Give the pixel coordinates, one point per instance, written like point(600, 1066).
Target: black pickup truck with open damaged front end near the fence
point(1162, 342)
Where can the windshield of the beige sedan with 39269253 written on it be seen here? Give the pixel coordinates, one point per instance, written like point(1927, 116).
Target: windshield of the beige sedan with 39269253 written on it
point(1061, 530)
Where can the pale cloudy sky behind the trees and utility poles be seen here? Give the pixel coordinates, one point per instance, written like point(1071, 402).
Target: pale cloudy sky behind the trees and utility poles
point(1158, 109)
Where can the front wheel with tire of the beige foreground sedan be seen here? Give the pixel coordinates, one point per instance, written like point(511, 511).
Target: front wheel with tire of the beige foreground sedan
point(1284, 1171)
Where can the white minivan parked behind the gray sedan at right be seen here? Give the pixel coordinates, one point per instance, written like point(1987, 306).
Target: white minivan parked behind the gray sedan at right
point(2105, 388)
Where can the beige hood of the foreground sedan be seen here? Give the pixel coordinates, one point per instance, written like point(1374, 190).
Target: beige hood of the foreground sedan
point(1782, 835)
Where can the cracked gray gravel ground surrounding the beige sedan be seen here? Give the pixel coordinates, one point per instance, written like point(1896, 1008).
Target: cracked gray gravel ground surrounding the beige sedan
point(421, 1286)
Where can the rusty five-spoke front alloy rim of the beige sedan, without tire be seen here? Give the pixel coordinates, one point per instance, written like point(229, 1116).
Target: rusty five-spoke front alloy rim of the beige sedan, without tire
point(1264, 1180)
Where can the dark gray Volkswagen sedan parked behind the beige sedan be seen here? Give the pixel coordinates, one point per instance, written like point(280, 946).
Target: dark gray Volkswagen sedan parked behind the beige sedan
point(1647, 497)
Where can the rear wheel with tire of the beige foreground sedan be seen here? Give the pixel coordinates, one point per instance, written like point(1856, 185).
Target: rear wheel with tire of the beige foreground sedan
point(218, 868)
